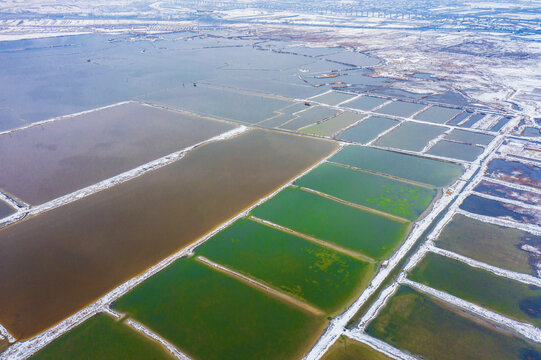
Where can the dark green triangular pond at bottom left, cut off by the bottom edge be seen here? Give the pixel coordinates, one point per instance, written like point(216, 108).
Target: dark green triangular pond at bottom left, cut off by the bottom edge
point(102, 337)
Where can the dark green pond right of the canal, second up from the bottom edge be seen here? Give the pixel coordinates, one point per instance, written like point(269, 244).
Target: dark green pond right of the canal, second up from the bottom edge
point(505, 296)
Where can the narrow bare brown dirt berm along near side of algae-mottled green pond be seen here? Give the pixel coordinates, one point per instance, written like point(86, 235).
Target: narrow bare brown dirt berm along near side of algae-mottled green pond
point(256, 284)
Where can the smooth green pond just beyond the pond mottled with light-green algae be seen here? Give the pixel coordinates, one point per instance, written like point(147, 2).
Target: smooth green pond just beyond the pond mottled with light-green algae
point(325, 219)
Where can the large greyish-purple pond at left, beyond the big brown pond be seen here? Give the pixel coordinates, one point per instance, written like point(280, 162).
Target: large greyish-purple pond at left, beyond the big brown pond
point(44, 162)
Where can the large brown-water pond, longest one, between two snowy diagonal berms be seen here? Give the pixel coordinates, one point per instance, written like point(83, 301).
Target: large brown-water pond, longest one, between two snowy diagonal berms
point(53, 264)
